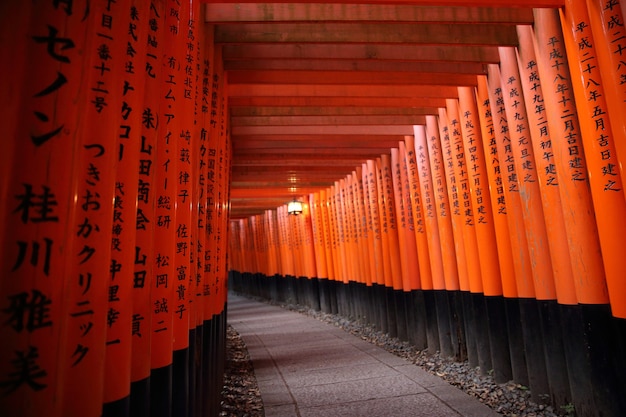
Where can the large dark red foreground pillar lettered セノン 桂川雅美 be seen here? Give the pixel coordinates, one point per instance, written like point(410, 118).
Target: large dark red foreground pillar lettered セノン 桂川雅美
point(37, 206)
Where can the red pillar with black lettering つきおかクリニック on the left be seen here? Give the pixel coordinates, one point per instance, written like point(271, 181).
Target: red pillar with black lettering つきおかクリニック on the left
point(90, 296)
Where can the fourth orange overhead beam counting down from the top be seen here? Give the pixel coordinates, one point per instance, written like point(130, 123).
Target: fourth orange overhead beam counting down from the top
point(338, 64)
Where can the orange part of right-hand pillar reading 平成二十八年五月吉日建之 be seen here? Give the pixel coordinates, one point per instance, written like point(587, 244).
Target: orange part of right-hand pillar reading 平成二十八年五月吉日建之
point(599, 141)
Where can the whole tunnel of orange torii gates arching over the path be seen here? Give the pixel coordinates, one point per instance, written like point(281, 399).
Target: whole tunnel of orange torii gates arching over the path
point(460, 166)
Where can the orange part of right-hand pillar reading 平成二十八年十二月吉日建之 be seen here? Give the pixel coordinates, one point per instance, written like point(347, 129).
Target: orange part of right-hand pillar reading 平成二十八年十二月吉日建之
point(571, 167)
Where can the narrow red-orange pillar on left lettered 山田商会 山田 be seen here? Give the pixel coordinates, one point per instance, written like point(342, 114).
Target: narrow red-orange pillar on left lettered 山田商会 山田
point(145, 223)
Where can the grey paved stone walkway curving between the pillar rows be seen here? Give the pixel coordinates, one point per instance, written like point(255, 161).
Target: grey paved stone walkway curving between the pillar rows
point(307, 368)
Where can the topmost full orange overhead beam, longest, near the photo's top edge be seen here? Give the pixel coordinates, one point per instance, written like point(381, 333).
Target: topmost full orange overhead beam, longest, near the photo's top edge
point(316, 12)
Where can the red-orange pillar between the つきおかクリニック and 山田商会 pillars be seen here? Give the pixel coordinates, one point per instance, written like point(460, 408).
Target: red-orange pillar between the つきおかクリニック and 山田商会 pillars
point(121, 343)
